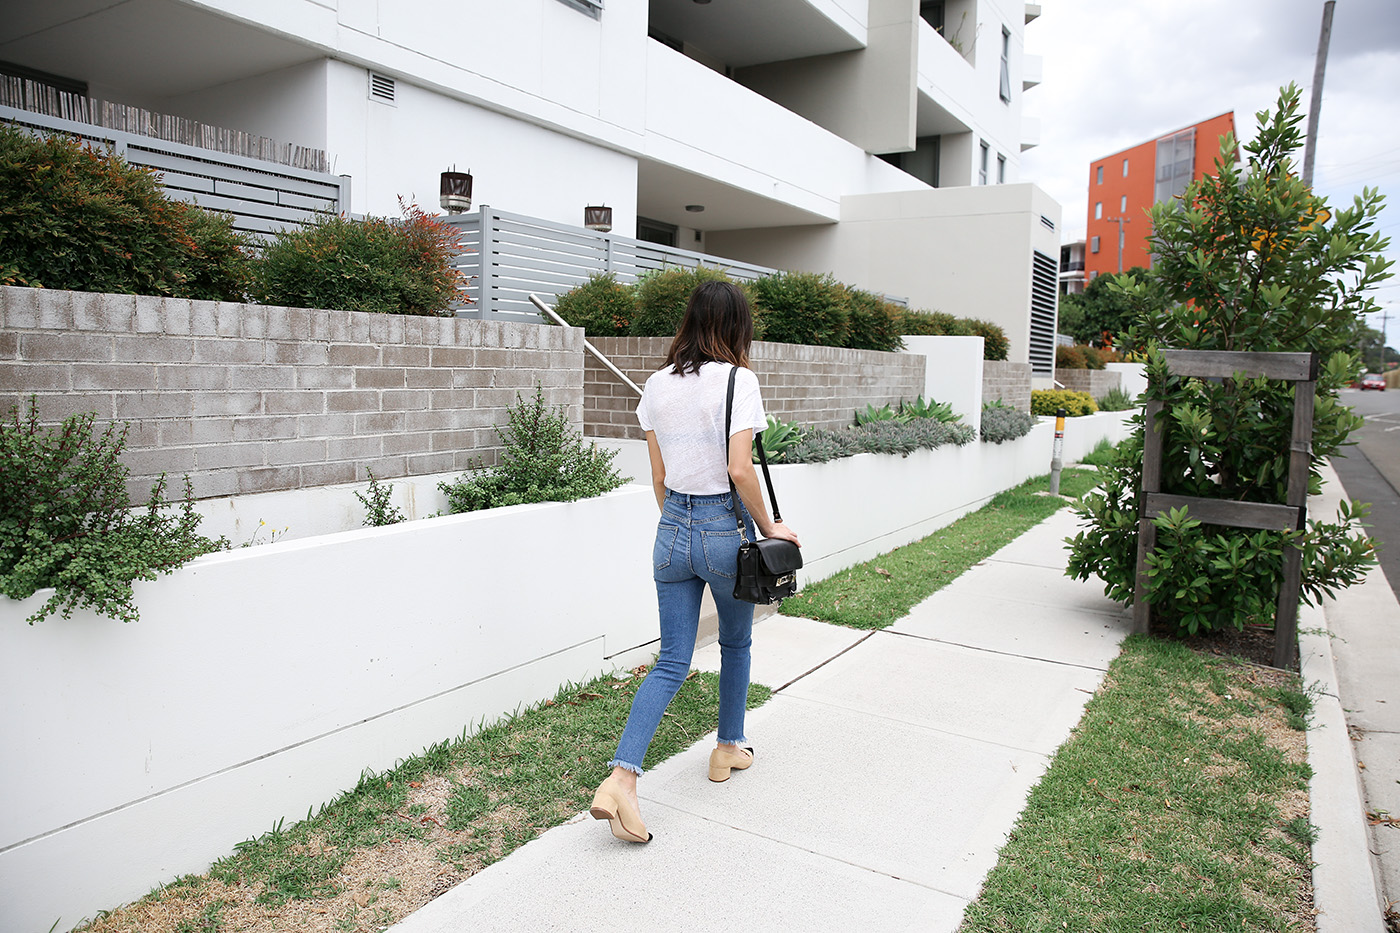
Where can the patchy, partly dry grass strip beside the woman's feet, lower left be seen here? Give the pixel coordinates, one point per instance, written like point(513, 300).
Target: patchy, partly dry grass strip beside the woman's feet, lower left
point(402, 837)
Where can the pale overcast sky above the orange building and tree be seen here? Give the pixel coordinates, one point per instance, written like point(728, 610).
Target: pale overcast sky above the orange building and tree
point(1123, 72)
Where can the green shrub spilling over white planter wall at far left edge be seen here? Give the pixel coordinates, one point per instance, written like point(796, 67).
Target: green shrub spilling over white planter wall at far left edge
point(66, 520)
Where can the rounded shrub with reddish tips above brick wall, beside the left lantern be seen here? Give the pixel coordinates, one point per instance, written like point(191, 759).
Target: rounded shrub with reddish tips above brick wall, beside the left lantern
point(363, 265)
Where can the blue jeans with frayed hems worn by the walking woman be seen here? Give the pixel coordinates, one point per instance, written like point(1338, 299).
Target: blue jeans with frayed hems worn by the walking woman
point(698, 543)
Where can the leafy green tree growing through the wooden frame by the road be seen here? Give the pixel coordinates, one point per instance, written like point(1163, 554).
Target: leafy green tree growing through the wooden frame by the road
point(1254, 263)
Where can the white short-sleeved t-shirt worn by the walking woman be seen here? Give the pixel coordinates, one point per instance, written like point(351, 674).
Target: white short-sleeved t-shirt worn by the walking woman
point(687, 413)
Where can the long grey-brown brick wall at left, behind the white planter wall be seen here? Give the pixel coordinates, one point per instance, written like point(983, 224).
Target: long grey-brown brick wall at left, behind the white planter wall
point(248, 399)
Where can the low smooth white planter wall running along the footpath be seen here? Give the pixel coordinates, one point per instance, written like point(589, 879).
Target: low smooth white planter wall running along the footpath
point(262, 682)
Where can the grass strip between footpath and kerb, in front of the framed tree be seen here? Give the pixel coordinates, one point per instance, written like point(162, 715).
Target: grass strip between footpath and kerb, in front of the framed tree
point(1179, 803)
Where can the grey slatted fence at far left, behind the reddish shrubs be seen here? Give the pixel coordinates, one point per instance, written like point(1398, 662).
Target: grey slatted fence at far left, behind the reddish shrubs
point(264, 197)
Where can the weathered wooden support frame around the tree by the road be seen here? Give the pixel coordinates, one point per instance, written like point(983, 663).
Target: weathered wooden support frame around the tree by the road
point(1300, 369)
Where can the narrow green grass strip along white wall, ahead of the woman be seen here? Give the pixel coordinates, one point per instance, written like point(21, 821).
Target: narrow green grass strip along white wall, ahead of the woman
point(883, 590)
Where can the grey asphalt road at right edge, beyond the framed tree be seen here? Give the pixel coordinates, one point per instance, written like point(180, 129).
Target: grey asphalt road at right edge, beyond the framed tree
point(1370, 471)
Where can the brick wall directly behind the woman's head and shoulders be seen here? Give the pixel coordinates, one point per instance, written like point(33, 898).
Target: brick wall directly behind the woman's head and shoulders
point(813, 386)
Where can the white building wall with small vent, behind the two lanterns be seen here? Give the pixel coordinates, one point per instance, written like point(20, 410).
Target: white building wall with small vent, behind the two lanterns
point(401, 149)
